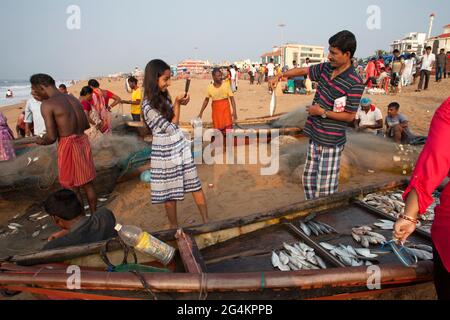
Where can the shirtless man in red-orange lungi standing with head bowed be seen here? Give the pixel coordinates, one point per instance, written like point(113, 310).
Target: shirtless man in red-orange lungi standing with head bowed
point(66, 122)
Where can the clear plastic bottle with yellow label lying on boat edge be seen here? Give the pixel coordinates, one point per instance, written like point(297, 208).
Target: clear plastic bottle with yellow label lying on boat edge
point(146, 243)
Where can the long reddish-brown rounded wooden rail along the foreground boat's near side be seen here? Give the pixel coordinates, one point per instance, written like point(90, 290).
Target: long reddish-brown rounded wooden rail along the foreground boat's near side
point(390, 275)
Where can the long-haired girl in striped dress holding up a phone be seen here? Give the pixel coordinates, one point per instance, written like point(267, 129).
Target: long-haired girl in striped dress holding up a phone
point(173, 172)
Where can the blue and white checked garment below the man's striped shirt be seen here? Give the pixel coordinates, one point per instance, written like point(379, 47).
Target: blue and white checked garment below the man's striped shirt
point(321, 176)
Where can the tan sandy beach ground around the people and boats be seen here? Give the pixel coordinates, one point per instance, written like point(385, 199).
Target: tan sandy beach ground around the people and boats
point(238, 190)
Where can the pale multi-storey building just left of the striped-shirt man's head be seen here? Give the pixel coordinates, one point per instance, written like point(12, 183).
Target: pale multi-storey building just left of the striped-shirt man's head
point(286, 54)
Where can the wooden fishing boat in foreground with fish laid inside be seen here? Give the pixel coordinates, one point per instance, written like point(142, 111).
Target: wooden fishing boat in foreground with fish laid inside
point(231, 260)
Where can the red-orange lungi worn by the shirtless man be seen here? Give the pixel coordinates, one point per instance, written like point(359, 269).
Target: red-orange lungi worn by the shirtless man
point(75, 161)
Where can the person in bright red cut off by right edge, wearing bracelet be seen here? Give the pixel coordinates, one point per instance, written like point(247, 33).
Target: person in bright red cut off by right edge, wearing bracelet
point(432, 168)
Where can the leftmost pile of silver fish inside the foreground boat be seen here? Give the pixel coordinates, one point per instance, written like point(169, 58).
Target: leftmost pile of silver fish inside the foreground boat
point(297, 257)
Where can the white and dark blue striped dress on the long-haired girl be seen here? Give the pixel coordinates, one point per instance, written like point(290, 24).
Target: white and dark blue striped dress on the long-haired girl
point(173, 170)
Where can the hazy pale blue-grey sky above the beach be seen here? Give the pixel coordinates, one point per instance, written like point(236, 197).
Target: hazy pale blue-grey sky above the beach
point(118, 35)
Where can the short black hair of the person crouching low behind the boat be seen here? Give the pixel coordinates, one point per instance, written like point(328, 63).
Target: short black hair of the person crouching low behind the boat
point(63, 204)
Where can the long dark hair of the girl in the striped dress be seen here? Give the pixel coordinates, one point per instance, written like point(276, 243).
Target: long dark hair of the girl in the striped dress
point(158, 100)
